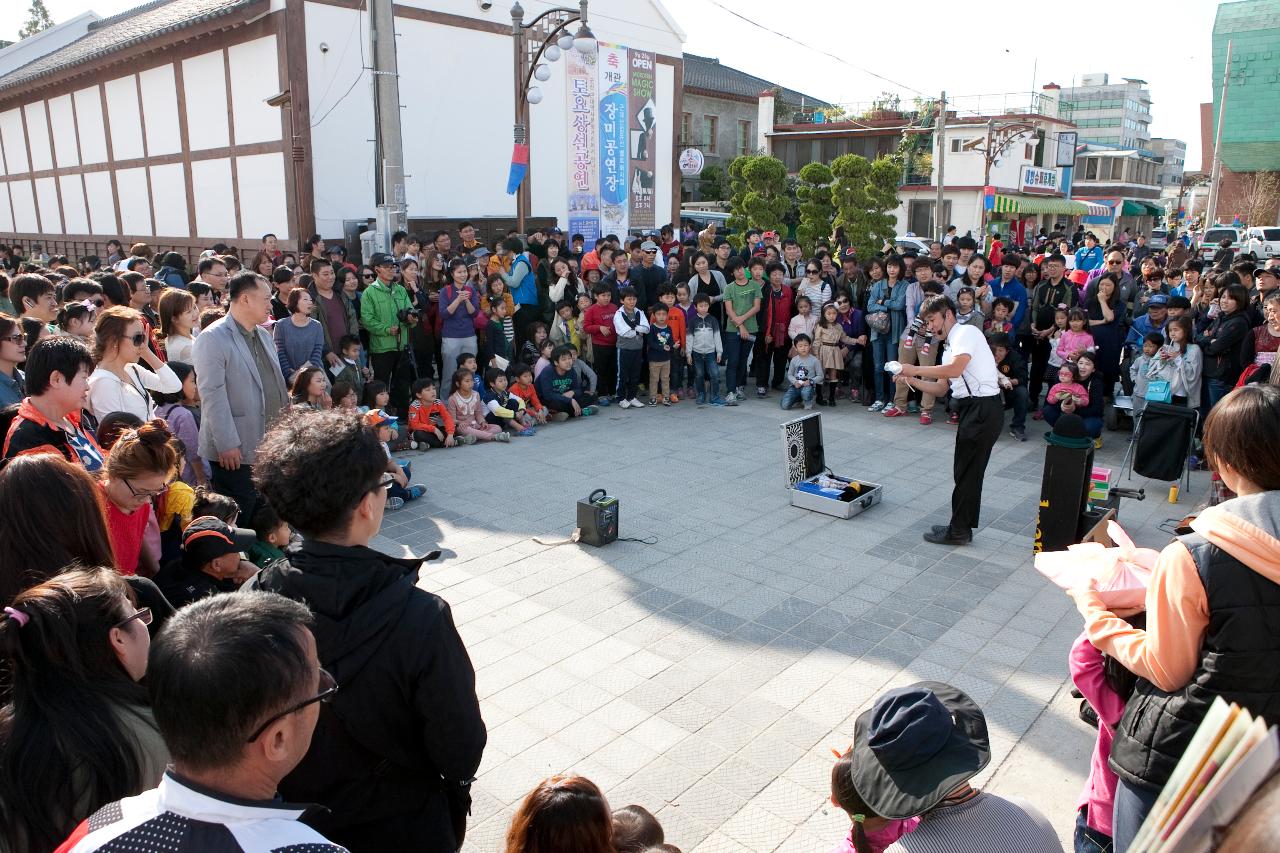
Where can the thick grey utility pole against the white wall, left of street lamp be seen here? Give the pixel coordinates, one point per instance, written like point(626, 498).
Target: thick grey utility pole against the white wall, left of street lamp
point(388, 147)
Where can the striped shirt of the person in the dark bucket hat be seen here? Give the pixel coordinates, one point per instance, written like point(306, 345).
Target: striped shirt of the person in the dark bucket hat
point(986, 824)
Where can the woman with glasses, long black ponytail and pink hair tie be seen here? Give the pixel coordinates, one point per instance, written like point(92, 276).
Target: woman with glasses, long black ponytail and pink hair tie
point(79, 732)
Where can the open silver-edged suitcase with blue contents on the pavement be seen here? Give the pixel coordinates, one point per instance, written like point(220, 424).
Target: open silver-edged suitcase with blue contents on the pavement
point(812, 485)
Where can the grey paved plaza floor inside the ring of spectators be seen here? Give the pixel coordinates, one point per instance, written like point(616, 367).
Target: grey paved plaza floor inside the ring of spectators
point(710, 676)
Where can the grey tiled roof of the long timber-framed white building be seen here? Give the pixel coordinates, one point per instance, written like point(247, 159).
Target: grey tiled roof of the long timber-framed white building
point(122, 31)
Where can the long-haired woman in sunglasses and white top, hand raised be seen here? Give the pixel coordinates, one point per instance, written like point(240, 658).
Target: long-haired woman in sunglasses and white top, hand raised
point(120, 384)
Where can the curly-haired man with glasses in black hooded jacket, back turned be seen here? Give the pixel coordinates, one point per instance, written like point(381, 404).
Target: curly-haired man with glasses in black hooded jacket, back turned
point(397, 749)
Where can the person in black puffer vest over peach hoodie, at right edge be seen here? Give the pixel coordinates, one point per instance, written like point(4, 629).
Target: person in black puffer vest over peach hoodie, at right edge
point(1213, 613)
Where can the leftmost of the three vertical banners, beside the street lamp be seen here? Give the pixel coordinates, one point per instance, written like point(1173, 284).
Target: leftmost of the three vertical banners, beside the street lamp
point(584, 195)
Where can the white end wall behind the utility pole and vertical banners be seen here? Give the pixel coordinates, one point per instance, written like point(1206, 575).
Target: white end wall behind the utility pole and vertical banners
point(458, 134)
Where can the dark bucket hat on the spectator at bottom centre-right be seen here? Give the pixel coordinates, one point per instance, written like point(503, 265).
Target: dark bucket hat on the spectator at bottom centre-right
point(916, 746)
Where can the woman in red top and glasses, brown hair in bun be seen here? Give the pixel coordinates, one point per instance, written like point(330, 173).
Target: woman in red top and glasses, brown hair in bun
point(139, 469)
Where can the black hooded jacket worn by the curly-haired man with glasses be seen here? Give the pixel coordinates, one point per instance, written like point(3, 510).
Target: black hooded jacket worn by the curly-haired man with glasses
point(396, 750)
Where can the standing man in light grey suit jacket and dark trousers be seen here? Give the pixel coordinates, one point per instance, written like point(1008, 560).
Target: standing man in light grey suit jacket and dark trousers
point(241, 389)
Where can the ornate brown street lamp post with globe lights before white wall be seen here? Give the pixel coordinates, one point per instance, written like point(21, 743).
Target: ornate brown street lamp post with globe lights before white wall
point(538, 43)
